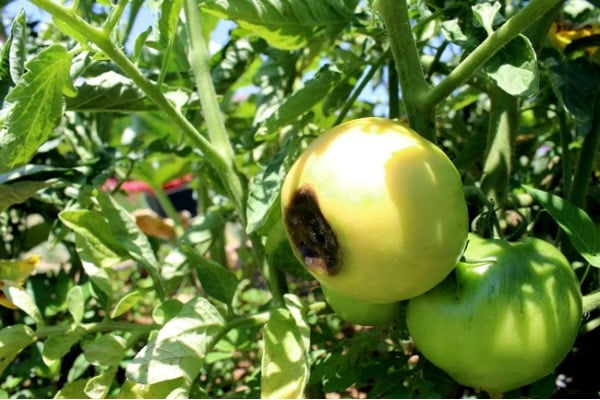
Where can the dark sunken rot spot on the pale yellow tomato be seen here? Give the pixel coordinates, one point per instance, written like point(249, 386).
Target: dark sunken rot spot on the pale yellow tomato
point(311, 234)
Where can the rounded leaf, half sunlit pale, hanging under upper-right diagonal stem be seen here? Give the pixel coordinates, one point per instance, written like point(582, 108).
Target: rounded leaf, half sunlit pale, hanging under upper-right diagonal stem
point(514, 68)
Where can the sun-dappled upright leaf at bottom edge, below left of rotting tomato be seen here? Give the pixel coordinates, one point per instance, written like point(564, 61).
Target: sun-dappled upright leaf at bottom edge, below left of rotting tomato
point(285, 366)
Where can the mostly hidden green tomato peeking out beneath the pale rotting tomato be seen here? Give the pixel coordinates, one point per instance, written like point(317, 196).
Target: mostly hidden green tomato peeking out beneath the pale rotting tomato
point(361, 312)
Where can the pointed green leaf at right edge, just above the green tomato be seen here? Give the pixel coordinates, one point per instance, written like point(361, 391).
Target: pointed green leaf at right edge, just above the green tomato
point(575, 222)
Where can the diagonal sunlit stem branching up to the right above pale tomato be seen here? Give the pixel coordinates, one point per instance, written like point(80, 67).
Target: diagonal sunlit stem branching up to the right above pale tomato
point(477, 58)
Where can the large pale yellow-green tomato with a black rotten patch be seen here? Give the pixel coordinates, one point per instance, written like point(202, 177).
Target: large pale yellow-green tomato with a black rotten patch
point(374, 211)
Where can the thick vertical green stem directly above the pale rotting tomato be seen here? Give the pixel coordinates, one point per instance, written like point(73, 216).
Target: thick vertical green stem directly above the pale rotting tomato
point(408, 64)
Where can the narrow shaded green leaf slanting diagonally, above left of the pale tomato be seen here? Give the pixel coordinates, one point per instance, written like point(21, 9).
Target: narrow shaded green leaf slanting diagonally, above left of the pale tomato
point(301, 101)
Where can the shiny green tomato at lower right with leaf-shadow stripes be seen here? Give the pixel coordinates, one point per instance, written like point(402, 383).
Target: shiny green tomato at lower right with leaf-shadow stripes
point(506, 318)
